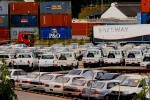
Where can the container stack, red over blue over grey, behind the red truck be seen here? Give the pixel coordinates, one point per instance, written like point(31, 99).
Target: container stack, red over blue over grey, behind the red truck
point(23, 18)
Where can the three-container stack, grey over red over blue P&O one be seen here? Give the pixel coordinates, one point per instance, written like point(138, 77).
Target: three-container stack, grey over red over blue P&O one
point(55, 20)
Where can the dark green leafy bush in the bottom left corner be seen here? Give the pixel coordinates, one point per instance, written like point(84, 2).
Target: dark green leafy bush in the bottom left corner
point(7, 87)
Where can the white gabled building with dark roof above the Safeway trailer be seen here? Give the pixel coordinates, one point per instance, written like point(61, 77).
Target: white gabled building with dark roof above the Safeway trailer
point(122, 11)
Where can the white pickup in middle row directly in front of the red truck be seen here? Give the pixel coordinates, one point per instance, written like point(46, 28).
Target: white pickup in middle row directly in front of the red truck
point(25, 60)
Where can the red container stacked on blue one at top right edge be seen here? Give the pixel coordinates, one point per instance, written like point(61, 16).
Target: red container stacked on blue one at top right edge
point(144, 16)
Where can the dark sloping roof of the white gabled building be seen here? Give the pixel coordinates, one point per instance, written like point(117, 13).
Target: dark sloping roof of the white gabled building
point(129, 9)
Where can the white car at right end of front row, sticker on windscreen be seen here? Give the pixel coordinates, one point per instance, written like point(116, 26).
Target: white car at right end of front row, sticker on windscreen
point(130, 87)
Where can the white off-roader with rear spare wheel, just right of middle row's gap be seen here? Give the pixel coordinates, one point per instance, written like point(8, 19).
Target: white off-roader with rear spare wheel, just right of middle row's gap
point(93, 57)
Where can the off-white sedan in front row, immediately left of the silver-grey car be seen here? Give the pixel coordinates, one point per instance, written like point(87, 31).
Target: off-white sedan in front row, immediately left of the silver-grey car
point(76, 88)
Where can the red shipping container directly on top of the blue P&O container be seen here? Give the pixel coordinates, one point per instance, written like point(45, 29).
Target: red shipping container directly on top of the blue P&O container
point(54, 20)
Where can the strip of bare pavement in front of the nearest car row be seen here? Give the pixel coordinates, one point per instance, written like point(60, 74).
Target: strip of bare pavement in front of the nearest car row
point(31, 96)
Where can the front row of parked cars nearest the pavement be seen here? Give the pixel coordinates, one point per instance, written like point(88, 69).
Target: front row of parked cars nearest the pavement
point(84, 83)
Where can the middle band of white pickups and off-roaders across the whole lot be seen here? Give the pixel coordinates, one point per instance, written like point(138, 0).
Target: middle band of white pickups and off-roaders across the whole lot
point(57, 55)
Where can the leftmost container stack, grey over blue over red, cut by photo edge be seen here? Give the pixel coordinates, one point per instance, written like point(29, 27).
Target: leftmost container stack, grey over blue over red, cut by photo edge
point(4, 22)
